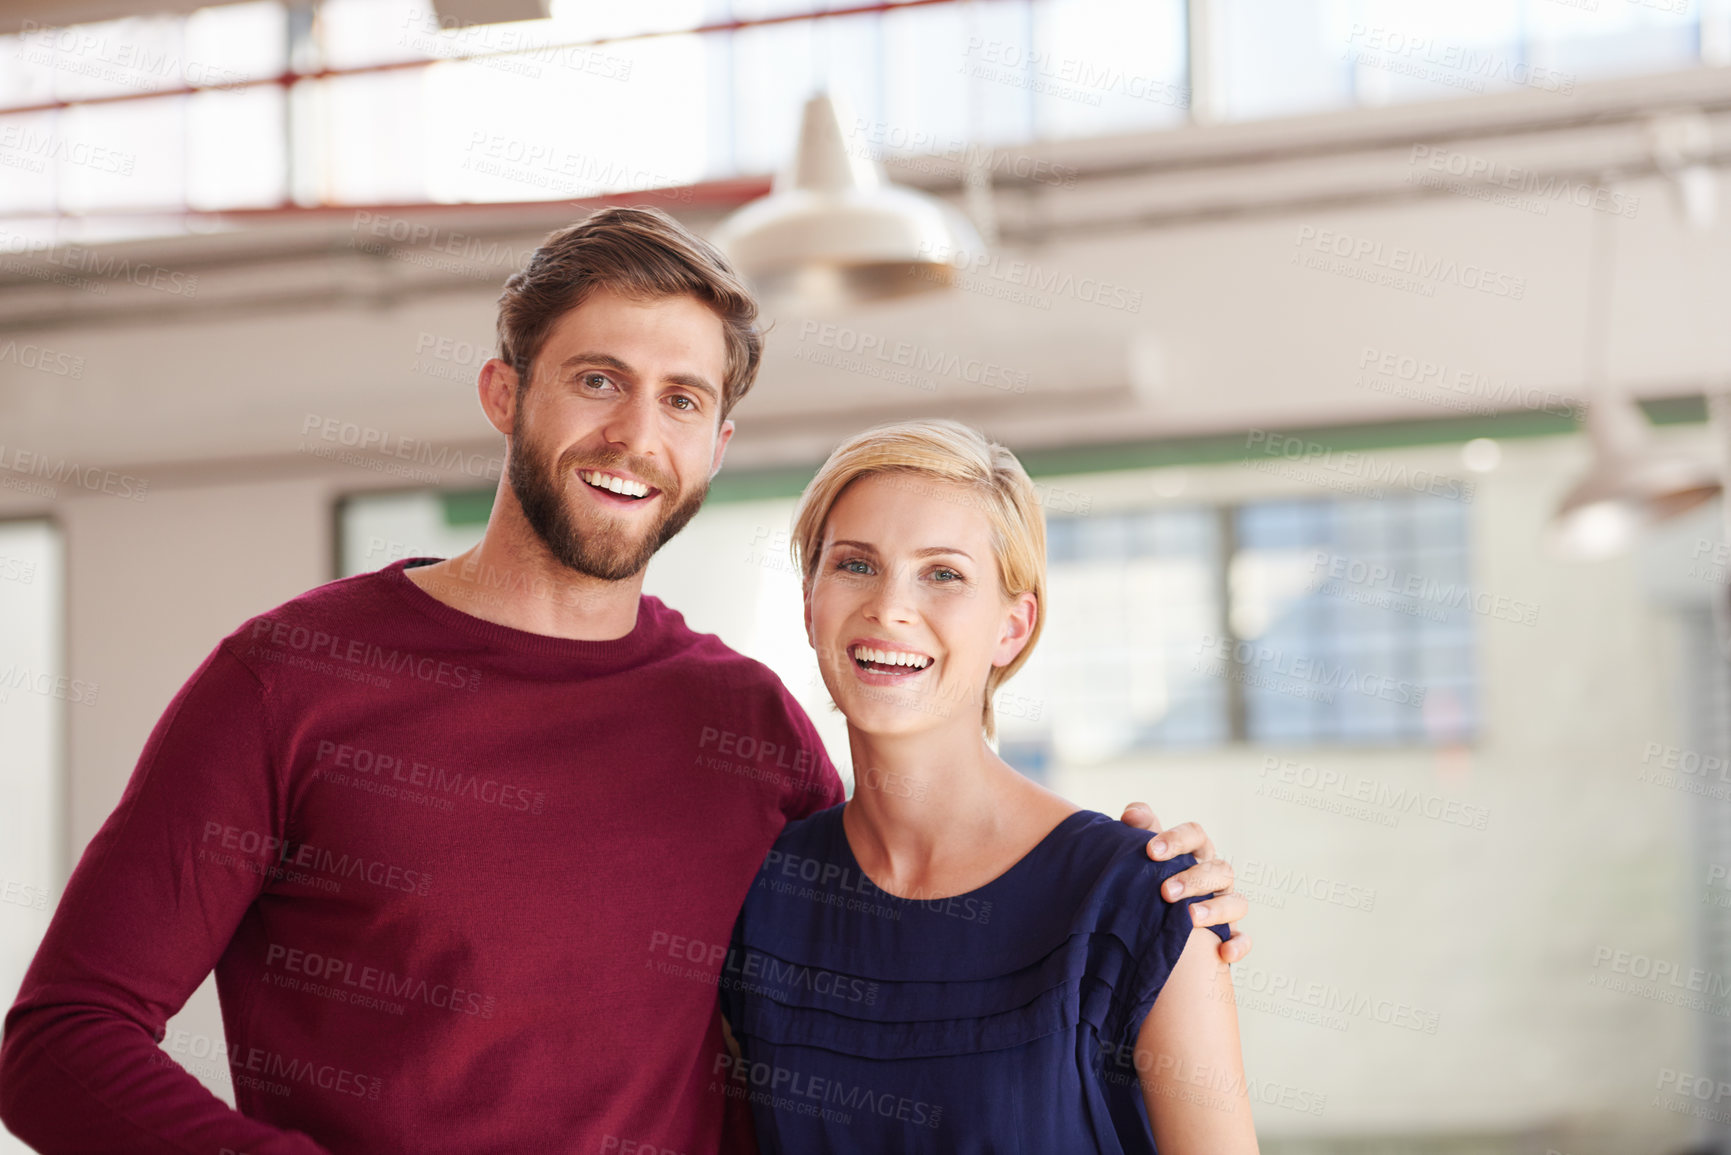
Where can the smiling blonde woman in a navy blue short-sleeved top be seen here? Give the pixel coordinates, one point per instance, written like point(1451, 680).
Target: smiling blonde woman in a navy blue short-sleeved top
point(960, 960)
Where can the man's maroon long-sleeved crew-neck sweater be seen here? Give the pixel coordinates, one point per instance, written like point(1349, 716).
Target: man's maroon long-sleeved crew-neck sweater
point(465, 889)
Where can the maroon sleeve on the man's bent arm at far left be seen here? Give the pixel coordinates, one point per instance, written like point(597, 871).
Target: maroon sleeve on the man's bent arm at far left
point(150, 910)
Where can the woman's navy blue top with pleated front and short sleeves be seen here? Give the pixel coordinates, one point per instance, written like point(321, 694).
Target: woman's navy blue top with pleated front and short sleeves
point(998, 1021)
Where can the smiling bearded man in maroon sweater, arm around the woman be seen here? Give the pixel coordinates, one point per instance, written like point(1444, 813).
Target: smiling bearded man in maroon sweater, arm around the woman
point(463, 841)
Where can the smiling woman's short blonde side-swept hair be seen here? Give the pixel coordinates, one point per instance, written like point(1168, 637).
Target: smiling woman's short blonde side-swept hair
point(941, 451)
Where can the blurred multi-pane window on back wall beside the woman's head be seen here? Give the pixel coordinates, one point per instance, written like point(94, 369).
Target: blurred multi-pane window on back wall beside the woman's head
point(1313, 621)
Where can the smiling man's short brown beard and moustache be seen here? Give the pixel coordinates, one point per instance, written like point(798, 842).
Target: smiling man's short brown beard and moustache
point(608, 552)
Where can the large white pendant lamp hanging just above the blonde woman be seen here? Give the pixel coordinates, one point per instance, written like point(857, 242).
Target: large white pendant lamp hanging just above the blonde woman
point(835, 231)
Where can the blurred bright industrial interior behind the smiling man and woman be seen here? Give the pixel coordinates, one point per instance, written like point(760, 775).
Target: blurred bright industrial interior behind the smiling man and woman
point(1292, 307)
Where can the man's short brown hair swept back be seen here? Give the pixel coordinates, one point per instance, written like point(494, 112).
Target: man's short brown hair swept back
point(640, 254)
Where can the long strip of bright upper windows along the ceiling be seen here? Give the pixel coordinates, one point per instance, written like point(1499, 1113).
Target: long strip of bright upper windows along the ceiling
point(435, 112)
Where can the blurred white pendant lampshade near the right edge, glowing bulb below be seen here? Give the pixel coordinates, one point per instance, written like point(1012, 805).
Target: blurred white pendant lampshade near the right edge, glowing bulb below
point(1628, 487)
